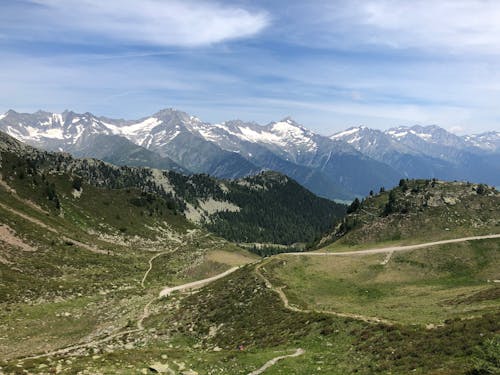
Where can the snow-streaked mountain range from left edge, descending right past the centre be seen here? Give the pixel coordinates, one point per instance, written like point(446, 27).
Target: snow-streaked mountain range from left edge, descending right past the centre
point(172, 139)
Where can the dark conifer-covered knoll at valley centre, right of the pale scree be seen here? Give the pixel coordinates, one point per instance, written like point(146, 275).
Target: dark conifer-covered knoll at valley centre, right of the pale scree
point(274, 209)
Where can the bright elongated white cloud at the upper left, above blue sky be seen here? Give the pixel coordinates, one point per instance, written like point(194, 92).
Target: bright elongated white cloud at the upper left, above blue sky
point(156, 22)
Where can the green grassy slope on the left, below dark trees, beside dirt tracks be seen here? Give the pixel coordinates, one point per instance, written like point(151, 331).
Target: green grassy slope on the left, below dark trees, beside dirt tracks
point(63, 293)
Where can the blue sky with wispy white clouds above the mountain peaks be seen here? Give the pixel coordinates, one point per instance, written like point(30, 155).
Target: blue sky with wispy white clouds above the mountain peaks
point(328, 64)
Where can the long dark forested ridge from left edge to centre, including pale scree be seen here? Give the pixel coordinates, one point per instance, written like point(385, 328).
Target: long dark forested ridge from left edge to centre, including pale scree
point(266, 208)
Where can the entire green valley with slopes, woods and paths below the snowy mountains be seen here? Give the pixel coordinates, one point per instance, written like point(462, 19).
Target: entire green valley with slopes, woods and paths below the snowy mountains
point(103, 272)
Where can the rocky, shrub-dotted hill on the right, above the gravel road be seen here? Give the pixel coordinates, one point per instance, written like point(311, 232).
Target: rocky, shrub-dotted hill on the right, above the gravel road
point(423, 211)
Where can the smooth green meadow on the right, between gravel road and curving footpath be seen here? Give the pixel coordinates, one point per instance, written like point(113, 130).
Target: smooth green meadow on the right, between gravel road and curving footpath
point(425, 286)
